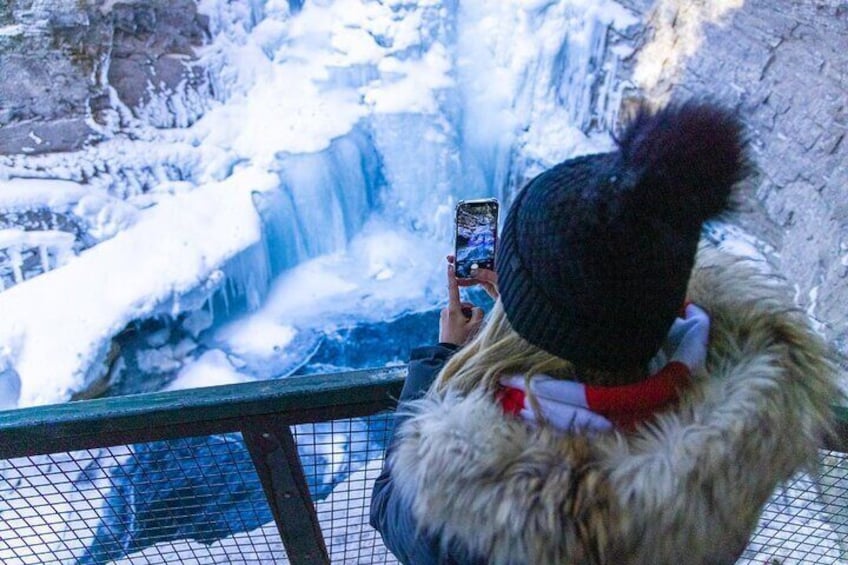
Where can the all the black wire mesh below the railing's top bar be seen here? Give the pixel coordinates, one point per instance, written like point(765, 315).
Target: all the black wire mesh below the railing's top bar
point(199, 500)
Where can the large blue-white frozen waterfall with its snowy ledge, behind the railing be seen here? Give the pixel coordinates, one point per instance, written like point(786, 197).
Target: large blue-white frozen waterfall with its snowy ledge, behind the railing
point(341, 132)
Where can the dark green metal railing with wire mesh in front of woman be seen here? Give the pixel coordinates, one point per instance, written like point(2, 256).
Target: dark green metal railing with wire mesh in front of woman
point(267, 472)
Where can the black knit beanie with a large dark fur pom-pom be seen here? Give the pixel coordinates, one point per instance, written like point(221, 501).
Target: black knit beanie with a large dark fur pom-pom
point(596, 252)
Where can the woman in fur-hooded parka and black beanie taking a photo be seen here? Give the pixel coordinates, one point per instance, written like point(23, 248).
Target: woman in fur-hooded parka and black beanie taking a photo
point(634, 396)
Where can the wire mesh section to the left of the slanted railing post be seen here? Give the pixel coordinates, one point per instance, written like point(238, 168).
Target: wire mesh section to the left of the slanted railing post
point(134, 504)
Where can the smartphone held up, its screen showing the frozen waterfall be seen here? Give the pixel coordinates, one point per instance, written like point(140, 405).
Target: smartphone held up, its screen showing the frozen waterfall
point(476, 235)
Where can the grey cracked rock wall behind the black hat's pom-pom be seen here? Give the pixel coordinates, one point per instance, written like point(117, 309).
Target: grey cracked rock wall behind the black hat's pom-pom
point(784, 65)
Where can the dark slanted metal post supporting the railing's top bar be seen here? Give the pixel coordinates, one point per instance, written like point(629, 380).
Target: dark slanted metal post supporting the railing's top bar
point(274, 453)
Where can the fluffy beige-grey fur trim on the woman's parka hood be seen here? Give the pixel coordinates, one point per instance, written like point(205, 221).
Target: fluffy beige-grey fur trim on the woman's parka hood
point(687, 488)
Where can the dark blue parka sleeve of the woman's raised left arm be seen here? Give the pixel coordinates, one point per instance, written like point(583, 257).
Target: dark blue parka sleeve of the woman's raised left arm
point(390, 515)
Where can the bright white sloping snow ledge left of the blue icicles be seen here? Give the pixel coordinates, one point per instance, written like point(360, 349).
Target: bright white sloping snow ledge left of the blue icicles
point(60, 317)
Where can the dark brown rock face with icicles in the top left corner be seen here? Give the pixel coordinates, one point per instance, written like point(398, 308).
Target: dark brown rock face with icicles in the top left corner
point(72, 71)
